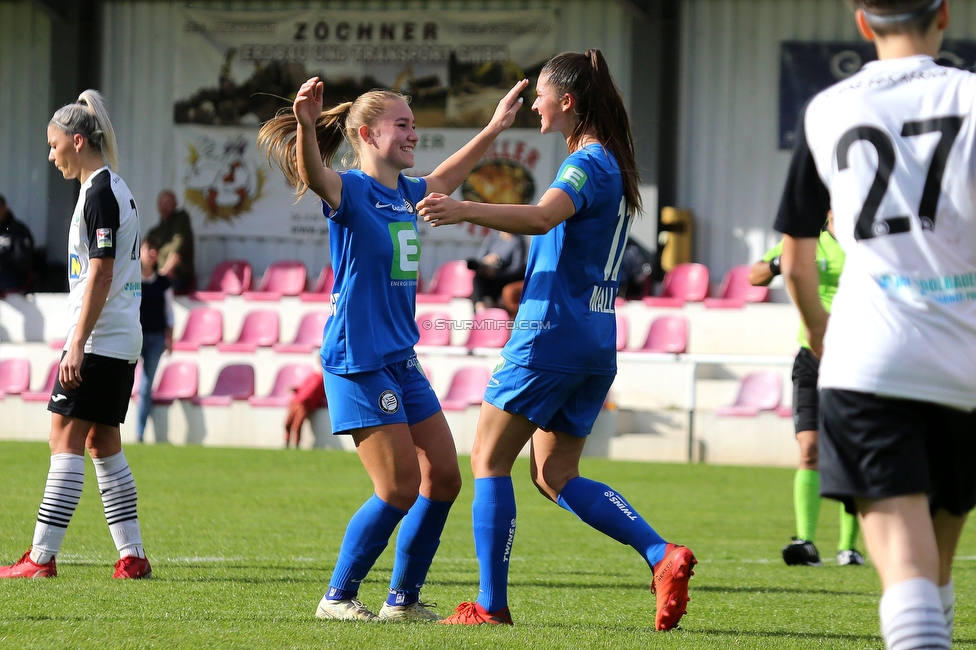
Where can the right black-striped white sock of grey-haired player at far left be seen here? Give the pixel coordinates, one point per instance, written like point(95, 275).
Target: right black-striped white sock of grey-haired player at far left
point(118, 490)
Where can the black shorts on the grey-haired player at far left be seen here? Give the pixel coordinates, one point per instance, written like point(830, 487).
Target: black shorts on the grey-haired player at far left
point(102, 397)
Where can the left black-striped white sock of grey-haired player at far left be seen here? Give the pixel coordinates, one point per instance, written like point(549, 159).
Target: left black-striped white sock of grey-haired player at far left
point(65, 479)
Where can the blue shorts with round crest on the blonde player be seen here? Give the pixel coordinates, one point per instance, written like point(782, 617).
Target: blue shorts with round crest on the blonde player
point(395, 394)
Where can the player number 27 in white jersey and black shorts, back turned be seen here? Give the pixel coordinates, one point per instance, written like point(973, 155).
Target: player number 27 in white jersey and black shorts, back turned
point(891, 151)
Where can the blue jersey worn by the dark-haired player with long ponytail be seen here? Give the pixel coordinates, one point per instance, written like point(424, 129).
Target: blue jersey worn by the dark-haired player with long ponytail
point(566, 320)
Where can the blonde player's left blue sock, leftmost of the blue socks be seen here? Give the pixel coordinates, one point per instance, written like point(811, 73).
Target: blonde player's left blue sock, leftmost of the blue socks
point(367, 534)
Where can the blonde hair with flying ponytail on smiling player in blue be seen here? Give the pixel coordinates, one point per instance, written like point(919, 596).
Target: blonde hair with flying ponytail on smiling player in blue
point(277, 136)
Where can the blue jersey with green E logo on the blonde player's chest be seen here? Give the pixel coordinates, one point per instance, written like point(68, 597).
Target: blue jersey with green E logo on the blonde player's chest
point(375, 257)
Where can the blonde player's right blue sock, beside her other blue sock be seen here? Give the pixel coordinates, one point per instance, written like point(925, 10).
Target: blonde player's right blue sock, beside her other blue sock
point(417, 541)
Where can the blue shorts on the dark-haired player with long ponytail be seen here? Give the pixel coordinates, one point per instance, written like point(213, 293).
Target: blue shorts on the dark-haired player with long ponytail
point(555, 401)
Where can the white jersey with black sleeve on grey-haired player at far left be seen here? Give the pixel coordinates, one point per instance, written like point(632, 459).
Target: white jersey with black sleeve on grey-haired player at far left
point(105, 223)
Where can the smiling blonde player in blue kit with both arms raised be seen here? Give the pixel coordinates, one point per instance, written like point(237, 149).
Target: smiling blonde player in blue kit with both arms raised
point(376, 388)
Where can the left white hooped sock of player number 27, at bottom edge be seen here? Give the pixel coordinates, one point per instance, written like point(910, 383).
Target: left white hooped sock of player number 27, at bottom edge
point(912, 618)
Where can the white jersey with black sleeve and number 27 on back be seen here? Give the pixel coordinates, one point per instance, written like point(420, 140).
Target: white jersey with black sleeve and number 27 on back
point(891, 151)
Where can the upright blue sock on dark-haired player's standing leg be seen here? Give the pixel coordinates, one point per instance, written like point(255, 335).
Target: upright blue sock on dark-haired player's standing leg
point(493, 515)
